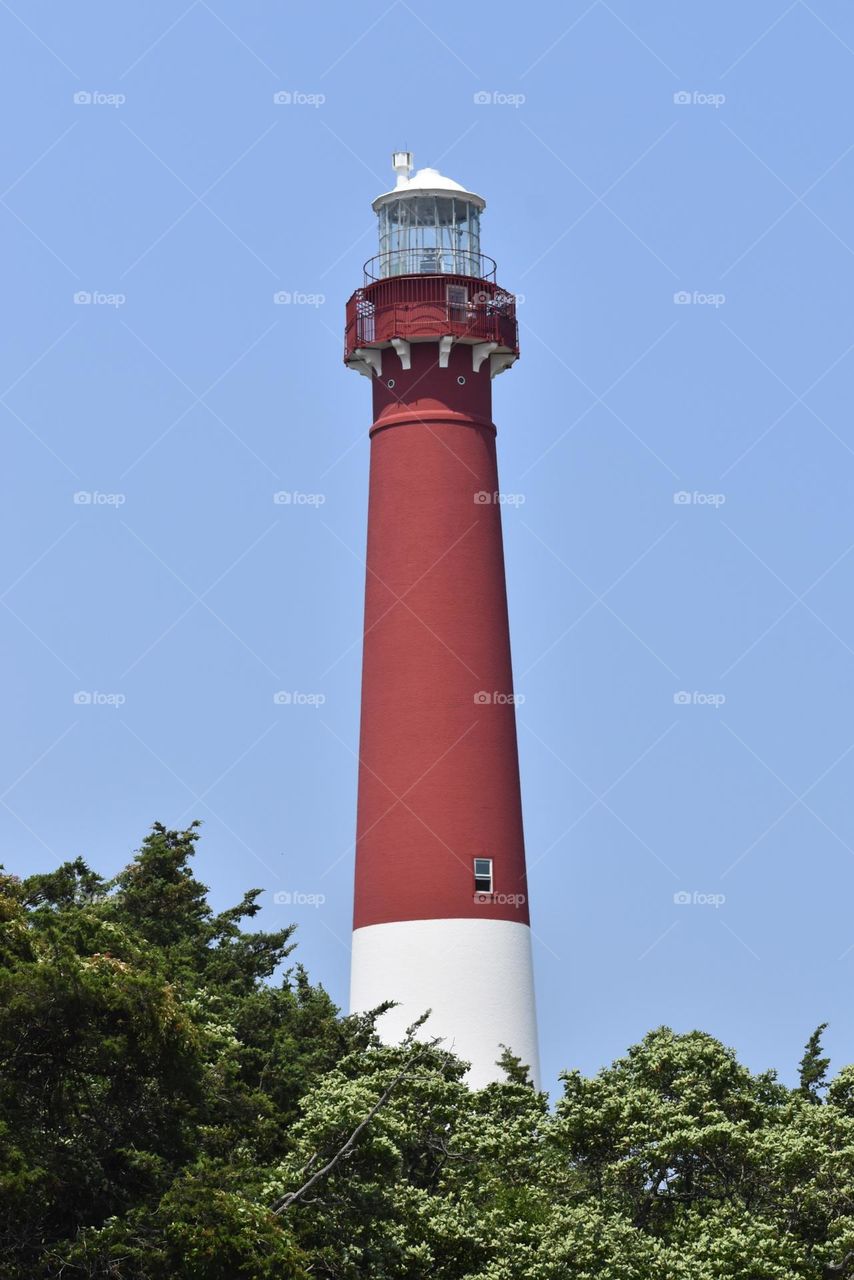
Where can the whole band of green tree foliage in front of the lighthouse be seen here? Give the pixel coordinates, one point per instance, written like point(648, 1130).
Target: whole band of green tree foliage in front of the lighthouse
point(180, 1103)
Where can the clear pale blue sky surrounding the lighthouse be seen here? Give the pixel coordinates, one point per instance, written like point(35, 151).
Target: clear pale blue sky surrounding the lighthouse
point(629, 156)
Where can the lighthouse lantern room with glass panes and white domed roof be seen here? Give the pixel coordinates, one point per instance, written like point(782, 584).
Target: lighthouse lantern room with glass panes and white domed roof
point(428, 226)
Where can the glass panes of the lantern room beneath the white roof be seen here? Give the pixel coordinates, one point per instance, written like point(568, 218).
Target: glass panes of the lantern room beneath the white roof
point(430, 235)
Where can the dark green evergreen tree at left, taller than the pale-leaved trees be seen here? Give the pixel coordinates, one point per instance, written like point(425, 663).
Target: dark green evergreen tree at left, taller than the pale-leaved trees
point(147, 1060)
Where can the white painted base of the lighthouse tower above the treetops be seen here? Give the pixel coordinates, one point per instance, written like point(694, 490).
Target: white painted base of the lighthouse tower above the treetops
point(476, 976)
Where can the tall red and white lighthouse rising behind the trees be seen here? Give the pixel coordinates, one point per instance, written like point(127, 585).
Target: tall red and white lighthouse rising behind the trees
point(441, 916)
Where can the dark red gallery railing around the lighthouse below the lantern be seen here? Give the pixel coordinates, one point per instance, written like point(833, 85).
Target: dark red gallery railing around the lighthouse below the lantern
point(431, 307)
